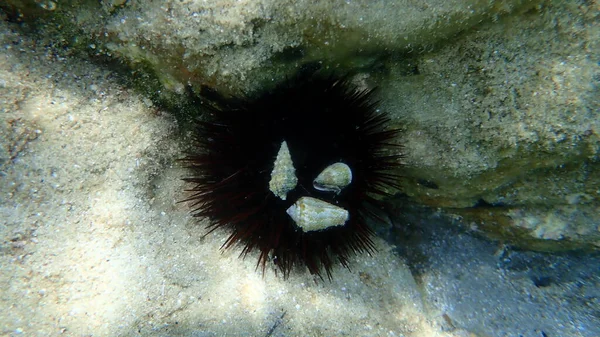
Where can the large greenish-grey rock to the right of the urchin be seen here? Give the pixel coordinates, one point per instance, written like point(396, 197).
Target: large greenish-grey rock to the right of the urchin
point(503, 126)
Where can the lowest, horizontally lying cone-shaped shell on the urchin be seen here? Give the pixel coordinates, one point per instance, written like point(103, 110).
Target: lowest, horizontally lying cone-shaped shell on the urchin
point(312, 214)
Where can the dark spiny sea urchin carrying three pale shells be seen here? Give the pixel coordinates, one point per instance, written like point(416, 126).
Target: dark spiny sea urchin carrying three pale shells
point(323, 120)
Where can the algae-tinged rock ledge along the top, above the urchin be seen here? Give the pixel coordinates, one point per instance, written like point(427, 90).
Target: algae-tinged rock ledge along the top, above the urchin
point(240, 45)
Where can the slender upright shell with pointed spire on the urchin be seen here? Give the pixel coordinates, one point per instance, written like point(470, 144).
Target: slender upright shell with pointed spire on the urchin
point(283, 176)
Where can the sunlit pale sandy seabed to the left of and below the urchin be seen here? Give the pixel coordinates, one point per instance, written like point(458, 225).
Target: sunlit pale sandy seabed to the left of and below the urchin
point(94, 242)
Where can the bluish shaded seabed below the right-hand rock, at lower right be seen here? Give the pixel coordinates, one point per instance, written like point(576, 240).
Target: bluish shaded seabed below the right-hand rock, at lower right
point(490, 288)
